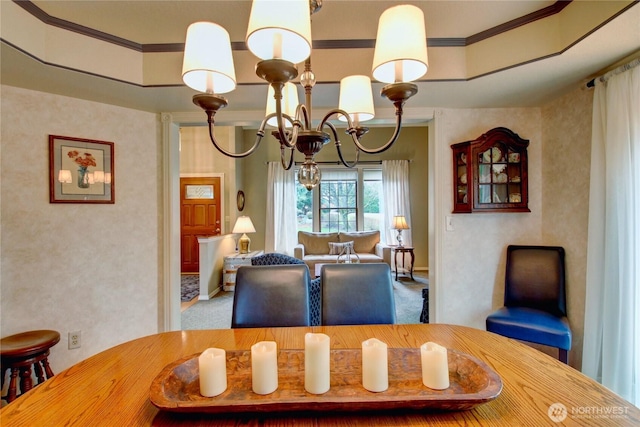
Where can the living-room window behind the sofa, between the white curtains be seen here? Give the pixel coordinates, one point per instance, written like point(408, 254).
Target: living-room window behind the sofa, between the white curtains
point(345, 200)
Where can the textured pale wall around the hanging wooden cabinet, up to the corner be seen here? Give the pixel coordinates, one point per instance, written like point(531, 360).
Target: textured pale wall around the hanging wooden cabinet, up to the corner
point(470, 280)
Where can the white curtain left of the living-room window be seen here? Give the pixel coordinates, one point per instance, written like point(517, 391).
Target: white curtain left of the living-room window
point(281, 233)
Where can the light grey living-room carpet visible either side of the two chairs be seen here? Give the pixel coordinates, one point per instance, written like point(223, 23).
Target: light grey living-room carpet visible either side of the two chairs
point(215, 313)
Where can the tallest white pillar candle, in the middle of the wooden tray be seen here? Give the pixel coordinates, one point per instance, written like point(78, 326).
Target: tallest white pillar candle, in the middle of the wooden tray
point(316, 363)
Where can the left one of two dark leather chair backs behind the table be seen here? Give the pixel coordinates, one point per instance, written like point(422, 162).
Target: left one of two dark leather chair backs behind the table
point(271, 296)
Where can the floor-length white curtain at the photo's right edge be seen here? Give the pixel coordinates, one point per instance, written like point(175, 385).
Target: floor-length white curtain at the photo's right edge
point(611, 351)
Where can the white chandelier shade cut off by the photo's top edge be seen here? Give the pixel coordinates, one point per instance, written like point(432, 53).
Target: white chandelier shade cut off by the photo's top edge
point(280, 29)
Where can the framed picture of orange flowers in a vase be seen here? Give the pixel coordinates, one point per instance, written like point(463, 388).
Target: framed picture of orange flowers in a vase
point(80, 170)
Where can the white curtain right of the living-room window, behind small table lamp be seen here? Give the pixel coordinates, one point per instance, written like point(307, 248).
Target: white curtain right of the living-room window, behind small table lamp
point(396, 199)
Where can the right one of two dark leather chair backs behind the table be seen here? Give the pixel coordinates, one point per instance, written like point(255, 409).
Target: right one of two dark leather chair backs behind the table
point(357, 294)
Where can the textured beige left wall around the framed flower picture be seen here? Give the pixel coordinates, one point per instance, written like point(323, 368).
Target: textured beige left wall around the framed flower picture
point(70, 267)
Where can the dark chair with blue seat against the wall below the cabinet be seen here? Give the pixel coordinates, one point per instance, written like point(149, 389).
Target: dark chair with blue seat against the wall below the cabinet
point(535, 307)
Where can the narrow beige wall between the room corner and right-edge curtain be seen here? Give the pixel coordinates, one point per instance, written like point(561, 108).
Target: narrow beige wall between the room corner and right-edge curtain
point(566, 132)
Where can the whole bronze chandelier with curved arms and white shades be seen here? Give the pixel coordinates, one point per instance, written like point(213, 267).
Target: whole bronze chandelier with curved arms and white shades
point(279, 33)
